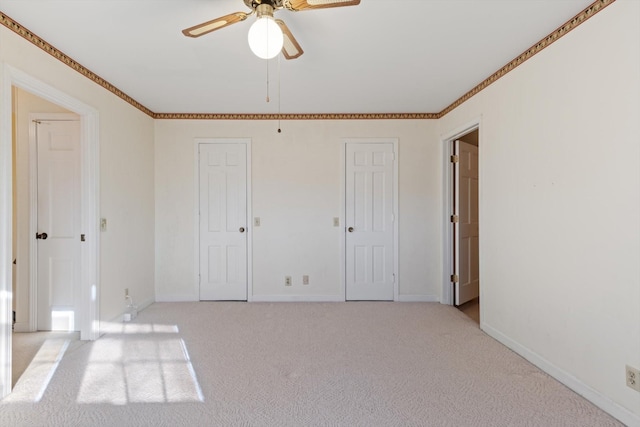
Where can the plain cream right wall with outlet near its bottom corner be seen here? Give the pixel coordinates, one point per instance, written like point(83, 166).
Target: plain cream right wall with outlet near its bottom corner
point(560, 207)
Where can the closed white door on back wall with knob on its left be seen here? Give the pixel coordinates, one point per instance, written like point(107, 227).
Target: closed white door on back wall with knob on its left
point(369, 215)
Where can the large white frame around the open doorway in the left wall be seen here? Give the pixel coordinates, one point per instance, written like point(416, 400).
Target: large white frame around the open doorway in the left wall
point(90, 196)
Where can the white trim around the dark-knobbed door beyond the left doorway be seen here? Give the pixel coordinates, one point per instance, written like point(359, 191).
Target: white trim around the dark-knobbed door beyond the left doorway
point(33, 214)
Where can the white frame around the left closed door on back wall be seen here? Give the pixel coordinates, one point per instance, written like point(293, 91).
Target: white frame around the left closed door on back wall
point(196, 210)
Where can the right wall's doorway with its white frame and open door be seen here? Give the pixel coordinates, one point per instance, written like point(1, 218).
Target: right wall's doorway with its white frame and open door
point(462, 228)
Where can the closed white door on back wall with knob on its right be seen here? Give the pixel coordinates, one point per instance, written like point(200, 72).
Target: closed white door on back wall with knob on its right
point(223, 221)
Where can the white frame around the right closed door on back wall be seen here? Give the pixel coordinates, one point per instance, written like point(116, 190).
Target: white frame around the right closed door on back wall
point(343, 209)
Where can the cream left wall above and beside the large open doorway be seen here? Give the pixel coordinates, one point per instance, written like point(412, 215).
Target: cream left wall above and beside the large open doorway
point(126, 174)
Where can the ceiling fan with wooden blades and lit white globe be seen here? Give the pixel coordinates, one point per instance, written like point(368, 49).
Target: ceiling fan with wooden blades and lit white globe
point(268, 36)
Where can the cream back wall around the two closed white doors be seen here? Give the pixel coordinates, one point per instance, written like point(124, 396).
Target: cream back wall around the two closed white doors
point(296, 183)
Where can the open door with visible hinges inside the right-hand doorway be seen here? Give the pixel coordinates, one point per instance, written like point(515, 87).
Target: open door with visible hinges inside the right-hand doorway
point(467, 228)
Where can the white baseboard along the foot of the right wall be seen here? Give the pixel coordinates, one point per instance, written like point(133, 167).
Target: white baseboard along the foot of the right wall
point(603, 402)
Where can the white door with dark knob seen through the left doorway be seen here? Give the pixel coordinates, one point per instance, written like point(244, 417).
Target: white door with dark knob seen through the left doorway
point(58, 228)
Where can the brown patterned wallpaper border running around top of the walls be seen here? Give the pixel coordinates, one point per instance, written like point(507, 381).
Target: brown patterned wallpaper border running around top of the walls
point(564, 29)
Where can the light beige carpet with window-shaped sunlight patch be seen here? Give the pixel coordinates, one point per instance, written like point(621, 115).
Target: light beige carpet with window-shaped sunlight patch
point(297, 364)
